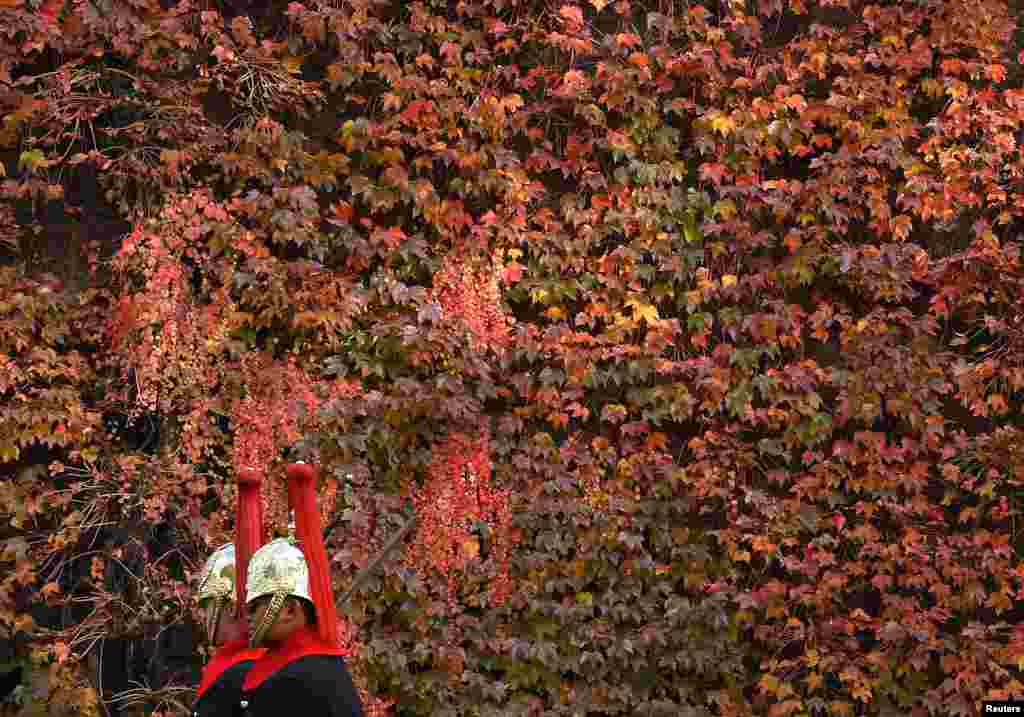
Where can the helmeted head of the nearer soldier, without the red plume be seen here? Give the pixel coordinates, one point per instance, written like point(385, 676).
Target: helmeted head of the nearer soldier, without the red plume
point(278, 594)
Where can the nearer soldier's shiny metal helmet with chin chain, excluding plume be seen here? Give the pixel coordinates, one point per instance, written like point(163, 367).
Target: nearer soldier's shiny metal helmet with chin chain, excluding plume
point(279, 570)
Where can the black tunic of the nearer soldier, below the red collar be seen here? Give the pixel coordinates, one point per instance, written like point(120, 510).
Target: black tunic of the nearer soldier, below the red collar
point(315, 686)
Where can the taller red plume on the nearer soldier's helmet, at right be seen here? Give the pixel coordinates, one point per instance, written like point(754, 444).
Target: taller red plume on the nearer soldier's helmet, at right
point(303, 495)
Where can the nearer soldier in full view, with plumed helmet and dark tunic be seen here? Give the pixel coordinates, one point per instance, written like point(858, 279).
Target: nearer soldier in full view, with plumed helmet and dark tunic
point(293, 615)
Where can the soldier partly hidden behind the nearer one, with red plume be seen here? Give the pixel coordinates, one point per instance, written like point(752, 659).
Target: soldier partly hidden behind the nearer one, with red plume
point(222, 598)
